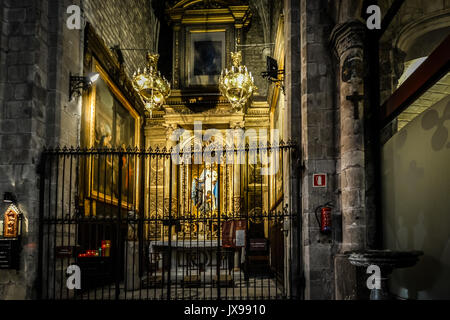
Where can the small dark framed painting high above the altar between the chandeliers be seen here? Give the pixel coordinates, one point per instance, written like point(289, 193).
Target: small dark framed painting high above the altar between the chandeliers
point(206, 57)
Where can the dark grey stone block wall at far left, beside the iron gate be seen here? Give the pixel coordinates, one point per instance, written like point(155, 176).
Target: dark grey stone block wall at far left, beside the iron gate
point(24, 82)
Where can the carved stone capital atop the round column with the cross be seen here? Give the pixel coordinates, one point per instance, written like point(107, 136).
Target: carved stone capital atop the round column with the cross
point(346, 36)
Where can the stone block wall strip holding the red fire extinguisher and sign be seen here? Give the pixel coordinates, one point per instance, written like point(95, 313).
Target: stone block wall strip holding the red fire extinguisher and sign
point(320, 145)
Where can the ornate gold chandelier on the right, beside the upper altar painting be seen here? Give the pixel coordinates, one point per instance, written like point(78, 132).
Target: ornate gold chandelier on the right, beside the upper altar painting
point(237, 84)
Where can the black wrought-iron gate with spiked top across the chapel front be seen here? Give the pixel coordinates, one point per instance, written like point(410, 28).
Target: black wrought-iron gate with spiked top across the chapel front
point(144, 225)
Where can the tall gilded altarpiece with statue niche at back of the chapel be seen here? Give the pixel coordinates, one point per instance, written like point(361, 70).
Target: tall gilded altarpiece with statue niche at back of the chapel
point(189, 201)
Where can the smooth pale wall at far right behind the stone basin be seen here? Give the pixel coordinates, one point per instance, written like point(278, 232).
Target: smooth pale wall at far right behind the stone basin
point(416, 202)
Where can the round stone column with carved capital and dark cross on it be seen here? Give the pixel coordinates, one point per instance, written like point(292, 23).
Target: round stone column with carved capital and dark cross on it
point(348, 41)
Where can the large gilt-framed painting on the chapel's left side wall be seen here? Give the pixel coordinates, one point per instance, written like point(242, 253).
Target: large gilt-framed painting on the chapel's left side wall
point(113, 124)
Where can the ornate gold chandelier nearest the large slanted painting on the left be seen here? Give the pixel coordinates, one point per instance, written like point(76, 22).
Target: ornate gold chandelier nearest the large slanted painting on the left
point(153, 88)
